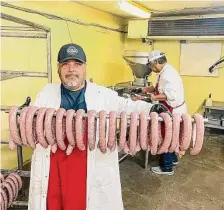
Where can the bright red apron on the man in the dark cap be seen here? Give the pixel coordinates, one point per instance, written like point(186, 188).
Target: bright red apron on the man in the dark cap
point(67, 179)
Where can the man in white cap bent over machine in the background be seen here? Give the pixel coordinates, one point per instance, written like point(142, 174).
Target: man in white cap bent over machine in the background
point(169, 91)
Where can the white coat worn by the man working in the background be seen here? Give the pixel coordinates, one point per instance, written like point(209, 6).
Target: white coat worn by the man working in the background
point(170, 84)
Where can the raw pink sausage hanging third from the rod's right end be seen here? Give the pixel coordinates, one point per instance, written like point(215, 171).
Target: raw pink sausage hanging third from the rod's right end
point(176, 132)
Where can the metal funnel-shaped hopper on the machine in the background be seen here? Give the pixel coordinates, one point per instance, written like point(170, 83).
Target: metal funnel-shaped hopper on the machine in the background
point(137, 61)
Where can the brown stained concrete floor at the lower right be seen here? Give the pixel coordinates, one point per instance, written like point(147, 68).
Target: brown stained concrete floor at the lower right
point(198, 181)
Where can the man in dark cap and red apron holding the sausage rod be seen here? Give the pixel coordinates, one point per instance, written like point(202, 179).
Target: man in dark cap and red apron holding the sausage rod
point(85, 179)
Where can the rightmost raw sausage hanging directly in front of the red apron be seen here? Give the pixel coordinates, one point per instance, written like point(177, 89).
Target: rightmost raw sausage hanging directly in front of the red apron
point(79, 129)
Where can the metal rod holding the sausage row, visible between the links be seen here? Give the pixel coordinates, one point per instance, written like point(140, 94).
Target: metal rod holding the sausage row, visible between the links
point(6, 110)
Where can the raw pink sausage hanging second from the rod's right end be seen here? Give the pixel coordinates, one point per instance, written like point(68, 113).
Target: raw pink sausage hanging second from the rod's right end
point(186, 131)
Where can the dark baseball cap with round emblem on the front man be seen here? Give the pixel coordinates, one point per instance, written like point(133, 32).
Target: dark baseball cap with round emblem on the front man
point(71, 51)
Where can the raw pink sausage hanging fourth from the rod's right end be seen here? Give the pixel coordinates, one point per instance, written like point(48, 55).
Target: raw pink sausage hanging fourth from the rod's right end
point(168, 133)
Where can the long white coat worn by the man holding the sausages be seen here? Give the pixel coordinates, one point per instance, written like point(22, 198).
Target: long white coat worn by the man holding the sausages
point(103, 177)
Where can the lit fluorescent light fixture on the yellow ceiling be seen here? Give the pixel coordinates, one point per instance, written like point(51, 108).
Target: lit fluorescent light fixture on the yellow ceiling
point(134, 9)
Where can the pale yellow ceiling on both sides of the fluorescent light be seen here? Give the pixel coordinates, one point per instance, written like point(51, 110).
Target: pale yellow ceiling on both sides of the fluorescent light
point(156, 6)
